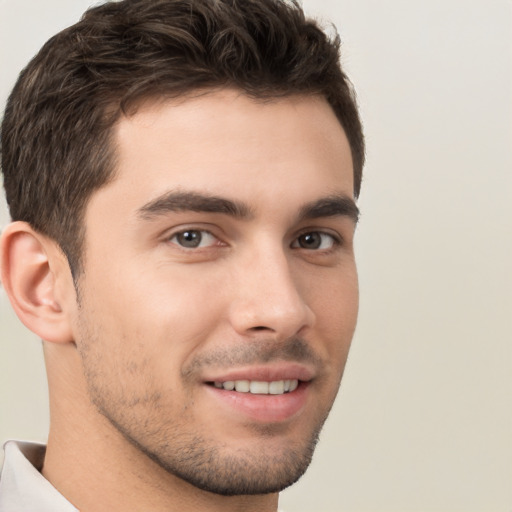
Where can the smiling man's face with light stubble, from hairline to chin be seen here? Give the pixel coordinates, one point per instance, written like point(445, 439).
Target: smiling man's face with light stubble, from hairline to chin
point(219, 295)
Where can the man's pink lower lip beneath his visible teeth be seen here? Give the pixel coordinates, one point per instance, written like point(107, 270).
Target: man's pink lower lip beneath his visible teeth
point(264, 408)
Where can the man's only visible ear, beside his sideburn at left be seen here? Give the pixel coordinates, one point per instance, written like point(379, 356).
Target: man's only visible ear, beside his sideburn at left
point(36, 276)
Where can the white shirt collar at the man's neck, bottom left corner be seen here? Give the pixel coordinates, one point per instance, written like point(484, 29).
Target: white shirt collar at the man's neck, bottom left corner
point(22, 486)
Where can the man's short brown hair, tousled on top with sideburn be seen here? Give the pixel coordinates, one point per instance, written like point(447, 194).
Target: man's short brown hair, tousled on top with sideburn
point(55, 133)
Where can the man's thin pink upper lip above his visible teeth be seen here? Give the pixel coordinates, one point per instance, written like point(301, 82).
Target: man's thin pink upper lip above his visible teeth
point(268, 373)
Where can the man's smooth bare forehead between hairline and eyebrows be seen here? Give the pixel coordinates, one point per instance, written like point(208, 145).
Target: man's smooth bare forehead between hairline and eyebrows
point(225, 143)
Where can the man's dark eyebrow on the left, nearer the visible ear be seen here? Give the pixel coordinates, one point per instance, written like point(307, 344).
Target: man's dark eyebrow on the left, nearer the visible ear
point(176, 201)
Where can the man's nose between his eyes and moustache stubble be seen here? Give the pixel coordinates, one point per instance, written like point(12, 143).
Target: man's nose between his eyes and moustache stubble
point(267, 298)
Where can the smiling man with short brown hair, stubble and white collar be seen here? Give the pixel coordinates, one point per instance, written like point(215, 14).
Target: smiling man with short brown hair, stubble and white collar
point(181, 176)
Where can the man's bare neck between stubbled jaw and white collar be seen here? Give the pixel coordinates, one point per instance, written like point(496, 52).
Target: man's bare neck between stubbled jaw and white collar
point(97, 469)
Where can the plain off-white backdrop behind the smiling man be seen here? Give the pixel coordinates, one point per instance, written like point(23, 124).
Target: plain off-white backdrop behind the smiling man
point(424, 418)
